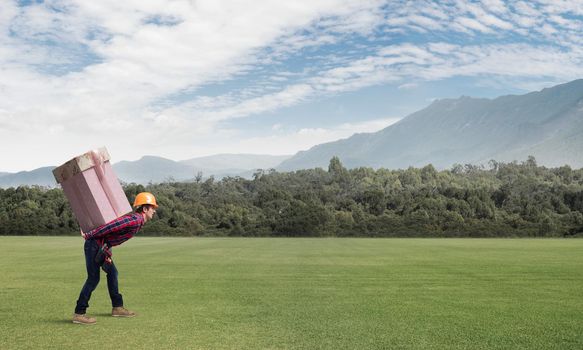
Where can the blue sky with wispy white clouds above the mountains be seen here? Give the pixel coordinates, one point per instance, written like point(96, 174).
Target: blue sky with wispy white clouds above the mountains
point(181, 79)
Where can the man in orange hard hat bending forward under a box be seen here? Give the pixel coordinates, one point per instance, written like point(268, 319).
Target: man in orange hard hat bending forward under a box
point(98, 243)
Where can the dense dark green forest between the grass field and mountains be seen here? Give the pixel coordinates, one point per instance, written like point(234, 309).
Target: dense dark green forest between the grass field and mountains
point(516, 199)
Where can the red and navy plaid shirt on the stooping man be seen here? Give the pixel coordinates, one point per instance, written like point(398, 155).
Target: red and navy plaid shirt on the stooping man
point(117, 231)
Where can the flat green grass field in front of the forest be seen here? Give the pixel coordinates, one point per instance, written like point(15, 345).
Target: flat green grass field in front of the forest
point(236, 293)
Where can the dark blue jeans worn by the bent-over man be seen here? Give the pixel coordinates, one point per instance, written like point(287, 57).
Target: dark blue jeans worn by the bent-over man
point(91, 248)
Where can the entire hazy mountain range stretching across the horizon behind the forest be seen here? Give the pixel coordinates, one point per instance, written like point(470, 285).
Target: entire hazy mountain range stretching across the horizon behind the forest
point(546, 124)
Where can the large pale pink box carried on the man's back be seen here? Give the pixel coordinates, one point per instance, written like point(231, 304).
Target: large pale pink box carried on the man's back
point(92, 189)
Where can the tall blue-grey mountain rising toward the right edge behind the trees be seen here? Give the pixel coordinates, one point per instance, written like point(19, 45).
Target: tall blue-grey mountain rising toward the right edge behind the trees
point(547, 124)
